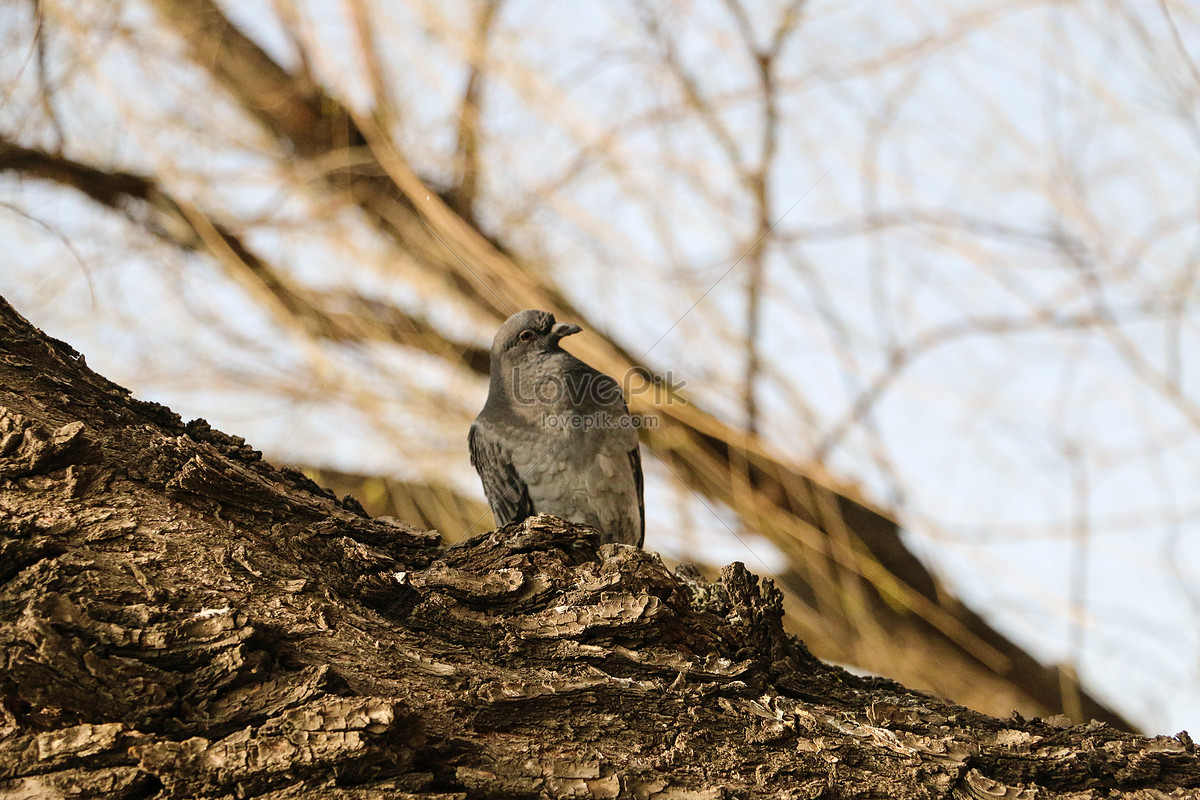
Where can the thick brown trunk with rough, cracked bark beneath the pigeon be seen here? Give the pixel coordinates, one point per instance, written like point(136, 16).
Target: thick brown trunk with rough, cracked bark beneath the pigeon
point(181, 619)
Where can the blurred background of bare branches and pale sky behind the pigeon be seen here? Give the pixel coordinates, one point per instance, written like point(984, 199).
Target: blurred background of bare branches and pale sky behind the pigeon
point(909, 290)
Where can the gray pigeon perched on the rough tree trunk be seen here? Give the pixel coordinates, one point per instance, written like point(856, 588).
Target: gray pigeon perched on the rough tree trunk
point(555, 436)
